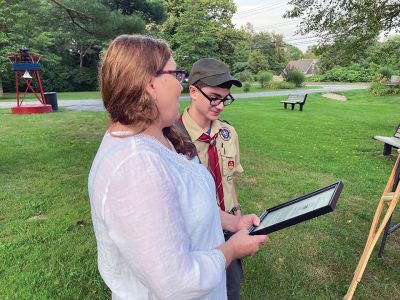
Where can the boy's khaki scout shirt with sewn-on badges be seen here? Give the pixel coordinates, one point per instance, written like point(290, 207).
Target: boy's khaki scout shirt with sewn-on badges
point(227, 144)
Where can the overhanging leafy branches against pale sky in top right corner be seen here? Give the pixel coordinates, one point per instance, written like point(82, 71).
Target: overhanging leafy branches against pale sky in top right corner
point(345, 25)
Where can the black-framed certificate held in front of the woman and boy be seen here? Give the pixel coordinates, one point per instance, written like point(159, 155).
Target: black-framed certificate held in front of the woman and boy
point(298, 210)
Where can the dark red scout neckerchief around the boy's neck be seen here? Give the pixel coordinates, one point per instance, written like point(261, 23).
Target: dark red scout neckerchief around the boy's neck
point(214, 164)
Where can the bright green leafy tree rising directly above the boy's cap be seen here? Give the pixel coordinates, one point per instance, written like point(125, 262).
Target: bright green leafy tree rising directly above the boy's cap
point(198, 29)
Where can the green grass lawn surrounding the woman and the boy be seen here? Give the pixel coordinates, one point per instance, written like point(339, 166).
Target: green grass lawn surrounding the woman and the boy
point(47, 244)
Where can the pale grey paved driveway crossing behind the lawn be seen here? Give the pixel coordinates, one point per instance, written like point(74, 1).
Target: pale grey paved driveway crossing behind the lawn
point(97, 105)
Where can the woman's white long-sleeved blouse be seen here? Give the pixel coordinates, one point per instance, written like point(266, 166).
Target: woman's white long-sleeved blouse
point(156, 222)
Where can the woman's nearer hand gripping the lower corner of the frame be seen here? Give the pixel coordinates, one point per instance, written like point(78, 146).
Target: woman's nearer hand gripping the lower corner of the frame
point(242, 244)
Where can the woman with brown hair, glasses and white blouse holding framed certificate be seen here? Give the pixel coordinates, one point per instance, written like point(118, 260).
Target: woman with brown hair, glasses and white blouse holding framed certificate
point(156, 221)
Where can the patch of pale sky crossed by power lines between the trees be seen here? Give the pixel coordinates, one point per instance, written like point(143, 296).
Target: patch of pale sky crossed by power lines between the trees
point(266, 15)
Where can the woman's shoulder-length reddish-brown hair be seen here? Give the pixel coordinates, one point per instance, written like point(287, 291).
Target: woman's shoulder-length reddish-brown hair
point(127, 67)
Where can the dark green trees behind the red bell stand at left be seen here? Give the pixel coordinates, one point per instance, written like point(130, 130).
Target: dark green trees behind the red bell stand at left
point(69, 34)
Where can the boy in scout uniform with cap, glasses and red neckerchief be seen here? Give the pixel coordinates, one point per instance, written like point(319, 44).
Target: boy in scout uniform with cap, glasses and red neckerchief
point(216, 141)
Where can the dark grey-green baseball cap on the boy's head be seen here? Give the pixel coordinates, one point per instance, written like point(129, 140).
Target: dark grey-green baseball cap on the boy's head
point(212, 72)
